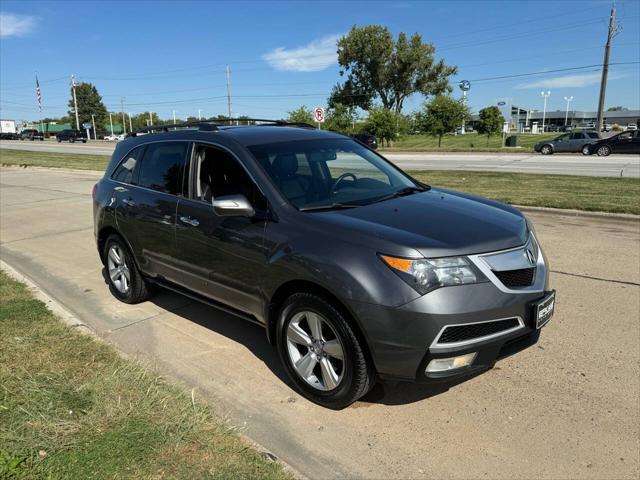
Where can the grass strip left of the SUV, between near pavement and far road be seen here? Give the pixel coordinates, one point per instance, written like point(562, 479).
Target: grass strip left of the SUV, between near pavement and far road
point(26, 158)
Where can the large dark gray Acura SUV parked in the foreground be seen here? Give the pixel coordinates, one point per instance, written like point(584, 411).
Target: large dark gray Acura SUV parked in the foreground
point(356, 271)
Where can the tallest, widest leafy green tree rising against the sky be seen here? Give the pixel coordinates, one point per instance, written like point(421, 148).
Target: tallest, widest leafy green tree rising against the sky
point(377, 67)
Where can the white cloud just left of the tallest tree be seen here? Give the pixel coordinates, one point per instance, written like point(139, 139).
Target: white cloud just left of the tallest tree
point(315, 56)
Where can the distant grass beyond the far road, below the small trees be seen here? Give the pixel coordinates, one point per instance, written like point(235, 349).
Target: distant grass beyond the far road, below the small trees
point(471, 142)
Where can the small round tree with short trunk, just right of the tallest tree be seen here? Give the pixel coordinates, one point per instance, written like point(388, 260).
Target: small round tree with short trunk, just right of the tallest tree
point(442, 115)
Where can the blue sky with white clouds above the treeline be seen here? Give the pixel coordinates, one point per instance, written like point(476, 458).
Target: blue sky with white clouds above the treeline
point(165, 56)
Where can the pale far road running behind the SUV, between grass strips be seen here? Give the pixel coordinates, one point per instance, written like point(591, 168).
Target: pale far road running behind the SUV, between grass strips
point(562, 164)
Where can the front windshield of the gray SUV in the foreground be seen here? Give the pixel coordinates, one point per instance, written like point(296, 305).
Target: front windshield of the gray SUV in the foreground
point(332, 172)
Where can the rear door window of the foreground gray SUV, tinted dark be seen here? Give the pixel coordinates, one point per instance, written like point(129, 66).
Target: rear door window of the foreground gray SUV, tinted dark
point(163, 167)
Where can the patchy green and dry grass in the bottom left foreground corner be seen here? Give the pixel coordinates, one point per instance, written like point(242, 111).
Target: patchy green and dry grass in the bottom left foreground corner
point(72, 408)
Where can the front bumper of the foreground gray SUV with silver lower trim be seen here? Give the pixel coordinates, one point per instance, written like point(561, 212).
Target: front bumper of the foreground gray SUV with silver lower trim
point(404, 339)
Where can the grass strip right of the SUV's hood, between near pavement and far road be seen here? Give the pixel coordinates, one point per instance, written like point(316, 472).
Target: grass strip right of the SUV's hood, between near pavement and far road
point(600, 194)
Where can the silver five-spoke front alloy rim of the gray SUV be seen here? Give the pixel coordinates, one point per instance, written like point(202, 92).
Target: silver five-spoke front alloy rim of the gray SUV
point(315, 350)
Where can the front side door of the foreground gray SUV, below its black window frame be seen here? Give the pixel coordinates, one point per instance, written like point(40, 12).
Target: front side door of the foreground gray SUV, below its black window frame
point(222, 258)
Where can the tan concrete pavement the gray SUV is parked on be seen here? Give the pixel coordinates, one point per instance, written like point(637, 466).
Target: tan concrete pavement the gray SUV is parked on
point(566, 408)
